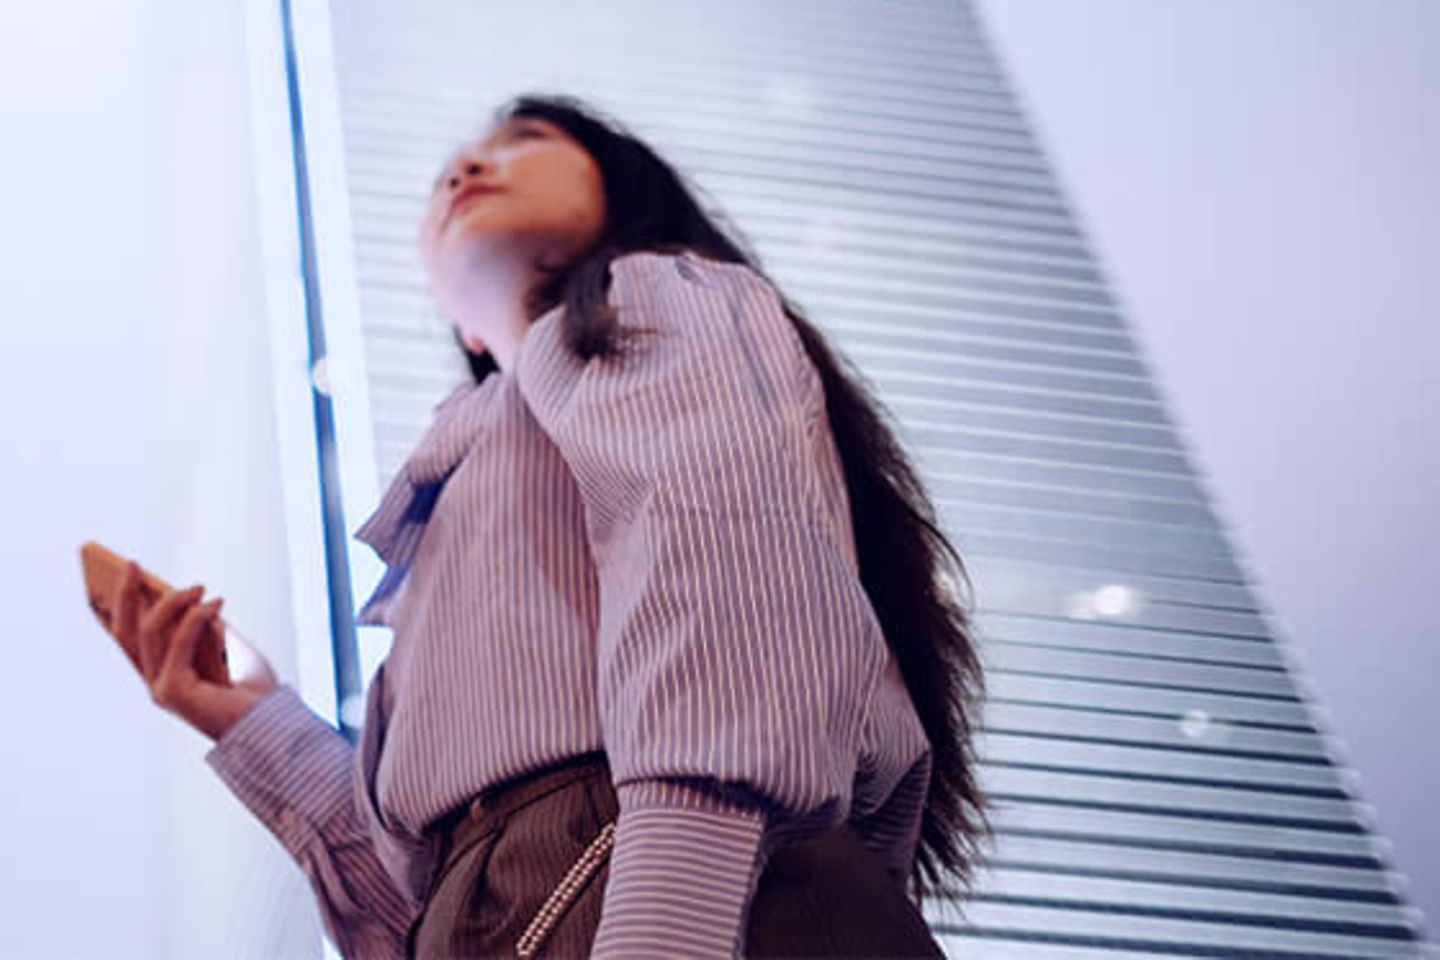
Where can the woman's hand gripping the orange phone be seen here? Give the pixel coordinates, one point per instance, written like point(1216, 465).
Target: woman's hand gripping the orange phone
point(162, 641)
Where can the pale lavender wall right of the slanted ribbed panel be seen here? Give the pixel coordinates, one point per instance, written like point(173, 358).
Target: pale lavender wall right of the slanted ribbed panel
point(1261, 185)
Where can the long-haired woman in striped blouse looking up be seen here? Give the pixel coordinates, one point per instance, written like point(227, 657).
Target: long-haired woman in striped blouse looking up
point(678, 667)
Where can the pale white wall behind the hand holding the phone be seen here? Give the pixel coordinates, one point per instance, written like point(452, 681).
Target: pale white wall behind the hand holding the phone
point(135, 379)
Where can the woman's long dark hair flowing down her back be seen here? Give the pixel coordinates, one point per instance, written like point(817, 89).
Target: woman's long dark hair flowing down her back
point(911, 572)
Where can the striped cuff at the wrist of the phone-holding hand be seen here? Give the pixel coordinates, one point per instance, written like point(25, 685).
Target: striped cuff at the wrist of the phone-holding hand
point(287, 766)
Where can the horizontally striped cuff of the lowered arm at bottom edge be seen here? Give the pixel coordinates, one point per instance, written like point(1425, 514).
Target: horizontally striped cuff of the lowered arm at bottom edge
point(683, 873)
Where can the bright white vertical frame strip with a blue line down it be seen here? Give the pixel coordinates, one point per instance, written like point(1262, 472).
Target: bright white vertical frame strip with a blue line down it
point(320, 386)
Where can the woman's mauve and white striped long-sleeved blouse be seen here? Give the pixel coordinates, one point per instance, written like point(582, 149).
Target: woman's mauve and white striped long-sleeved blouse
point(649, 555)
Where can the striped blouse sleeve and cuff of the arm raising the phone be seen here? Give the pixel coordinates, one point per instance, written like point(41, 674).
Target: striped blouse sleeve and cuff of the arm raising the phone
point(294, 772)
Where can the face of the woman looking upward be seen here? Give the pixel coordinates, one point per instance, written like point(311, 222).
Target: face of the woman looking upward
point(526, 194)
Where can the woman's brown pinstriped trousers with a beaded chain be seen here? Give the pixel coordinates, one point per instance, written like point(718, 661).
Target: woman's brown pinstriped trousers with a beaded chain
point(502, 859)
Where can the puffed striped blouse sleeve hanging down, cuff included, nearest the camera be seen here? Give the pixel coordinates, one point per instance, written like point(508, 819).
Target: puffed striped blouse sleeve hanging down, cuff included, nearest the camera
point(738, 653)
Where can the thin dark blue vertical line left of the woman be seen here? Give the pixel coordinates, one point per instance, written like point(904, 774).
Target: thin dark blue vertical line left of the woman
point(338, 569)
